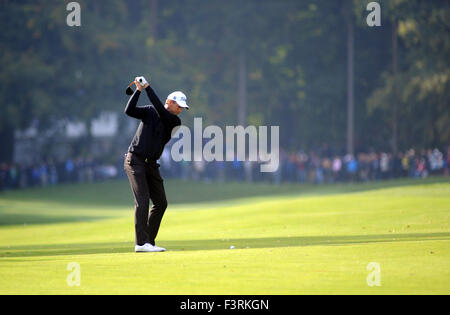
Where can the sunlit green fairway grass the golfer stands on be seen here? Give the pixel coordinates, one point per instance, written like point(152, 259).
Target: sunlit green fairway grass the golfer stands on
point(288, 239)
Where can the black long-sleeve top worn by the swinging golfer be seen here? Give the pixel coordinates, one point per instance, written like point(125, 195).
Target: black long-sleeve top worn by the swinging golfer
point(156, 126)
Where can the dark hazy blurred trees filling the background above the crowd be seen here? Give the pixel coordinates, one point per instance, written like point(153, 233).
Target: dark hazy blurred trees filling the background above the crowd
point(334, 85)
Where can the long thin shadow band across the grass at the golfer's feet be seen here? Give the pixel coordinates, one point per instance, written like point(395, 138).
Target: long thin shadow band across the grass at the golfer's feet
point(214, 244)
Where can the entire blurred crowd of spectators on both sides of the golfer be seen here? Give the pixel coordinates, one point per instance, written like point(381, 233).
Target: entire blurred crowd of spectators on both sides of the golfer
point(300, 167)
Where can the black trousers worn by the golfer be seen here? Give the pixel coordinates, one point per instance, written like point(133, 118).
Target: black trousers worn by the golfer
point(146, 184)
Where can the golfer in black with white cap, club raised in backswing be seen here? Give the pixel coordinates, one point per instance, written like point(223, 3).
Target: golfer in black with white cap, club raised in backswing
point(153, 133)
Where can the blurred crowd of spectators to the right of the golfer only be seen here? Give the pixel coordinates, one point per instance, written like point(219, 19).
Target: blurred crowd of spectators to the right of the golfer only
point(318, 167)
